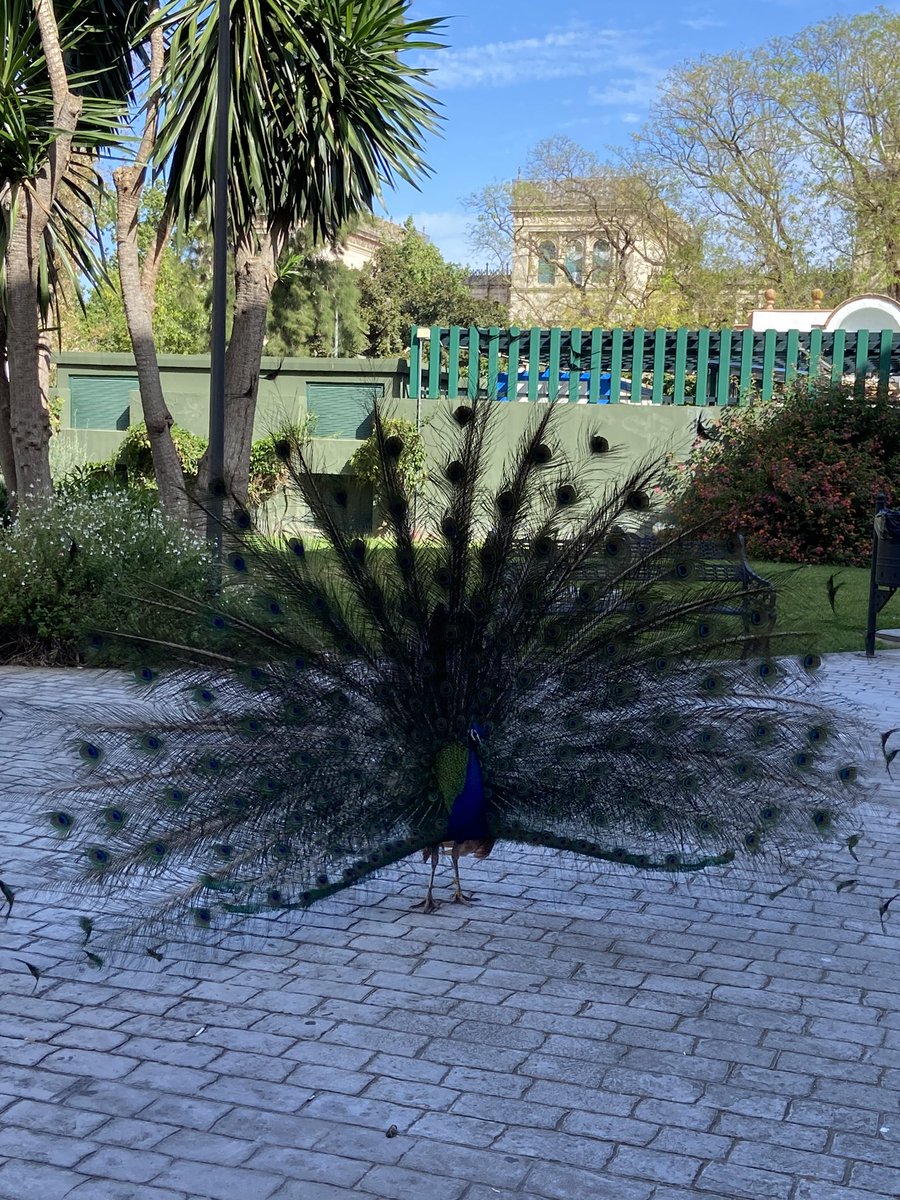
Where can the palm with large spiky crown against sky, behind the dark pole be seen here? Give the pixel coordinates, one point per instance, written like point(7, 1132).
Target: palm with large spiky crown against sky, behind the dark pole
point(327, 107)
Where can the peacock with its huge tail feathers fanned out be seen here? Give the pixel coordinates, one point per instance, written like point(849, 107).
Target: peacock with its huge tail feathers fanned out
point(509, 661)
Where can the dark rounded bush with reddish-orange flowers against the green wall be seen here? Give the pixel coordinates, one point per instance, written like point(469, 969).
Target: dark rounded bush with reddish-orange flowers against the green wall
point(799, 476)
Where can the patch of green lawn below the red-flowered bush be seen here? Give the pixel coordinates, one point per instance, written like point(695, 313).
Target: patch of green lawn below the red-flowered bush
point(803, 607)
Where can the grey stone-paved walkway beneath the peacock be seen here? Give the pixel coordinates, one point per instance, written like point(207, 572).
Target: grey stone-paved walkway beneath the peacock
point(580, 1035)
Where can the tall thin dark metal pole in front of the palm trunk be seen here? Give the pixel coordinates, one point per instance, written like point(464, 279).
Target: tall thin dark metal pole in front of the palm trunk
point(220, 283)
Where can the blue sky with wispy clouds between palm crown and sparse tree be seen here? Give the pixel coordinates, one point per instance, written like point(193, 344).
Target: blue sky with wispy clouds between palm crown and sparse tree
point(519, 71)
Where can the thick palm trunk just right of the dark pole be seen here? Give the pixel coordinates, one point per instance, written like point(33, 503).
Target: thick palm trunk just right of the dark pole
point(256, 259)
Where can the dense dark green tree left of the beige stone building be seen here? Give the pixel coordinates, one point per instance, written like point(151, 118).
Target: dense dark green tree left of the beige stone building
point(410, 284)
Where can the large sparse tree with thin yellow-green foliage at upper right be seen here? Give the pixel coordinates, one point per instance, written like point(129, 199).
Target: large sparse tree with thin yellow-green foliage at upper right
point(789, 155)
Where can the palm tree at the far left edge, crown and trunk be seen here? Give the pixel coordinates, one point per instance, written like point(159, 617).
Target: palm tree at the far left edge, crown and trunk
point(64, 88)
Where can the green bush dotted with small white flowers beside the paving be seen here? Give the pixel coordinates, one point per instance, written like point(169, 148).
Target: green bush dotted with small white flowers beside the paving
point(85, 563)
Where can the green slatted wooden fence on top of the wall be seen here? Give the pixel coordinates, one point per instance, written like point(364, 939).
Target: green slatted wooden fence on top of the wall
point(652, 367)
